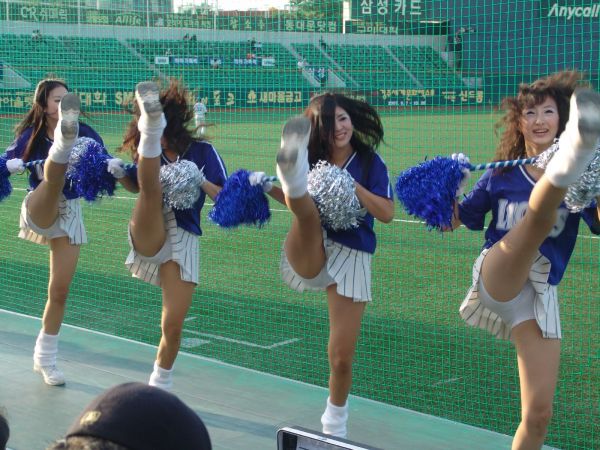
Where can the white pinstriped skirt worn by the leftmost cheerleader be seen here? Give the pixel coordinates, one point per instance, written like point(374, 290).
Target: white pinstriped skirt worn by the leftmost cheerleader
point(69, 223)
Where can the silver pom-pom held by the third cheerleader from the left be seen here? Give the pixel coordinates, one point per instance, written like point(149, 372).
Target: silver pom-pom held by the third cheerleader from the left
point(332, 190)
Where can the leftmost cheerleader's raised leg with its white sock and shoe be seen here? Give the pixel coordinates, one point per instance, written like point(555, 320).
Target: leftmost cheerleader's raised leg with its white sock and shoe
point(42, 204)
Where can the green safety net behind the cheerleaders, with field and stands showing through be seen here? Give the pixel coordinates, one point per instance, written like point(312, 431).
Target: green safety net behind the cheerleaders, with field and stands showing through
point(433, 69)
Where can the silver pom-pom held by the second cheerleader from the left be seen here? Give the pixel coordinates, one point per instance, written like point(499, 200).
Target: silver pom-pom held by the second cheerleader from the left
point(181, 182)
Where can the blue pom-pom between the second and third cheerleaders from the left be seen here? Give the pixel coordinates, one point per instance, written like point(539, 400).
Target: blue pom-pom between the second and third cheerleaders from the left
point(239, 203)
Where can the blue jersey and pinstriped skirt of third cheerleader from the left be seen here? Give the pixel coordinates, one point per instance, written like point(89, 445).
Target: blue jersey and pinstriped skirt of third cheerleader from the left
point(348, 252)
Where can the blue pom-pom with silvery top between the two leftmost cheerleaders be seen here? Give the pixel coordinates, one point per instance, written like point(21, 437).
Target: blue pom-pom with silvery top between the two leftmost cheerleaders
point(88, 171)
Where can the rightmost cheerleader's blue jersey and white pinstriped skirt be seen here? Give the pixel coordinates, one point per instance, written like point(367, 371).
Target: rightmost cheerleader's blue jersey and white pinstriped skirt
point(506, 195)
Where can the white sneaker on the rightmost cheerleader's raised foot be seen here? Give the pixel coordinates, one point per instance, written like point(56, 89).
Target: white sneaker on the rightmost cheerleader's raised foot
point(584, 117)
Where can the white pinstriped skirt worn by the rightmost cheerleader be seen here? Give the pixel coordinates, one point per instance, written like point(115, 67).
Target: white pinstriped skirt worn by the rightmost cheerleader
point(544, 303)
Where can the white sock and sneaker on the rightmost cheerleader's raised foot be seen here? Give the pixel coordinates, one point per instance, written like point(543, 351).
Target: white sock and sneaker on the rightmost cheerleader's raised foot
point(578, 143)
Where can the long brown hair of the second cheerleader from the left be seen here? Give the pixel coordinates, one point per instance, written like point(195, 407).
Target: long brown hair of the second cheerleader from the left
point(176, 107)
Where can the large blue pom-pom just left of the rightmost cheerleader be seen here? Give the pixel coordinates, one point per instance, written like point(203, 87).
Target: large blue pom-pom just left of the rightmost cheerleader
point(427, 190)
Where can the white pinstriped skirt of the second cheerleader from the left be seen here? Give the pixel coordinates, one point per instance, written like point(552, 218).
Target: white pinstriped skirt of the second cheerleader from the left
point(180, 246)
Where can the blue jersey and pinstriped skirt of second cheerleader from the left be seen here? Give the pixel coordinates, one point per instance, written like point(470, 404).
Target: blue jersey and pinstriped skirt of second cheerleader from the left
point(182, 226)
